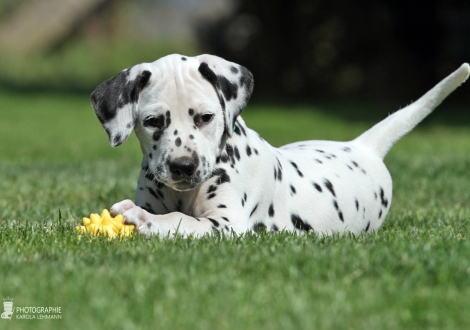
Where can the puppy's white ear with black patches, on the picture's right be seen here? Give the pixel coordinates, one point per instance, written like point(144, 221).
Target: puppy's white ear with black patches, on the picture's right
point(233, 84)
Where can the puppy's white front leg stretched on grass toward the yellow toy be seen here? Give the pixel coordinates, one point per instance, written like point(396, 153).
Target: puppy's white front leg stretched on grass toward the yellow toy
point(167, 225)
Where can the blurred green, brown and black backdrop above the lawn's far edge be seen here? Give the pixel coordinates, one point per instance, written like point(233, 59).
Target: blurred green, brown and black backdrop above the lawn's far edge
point(386, 51)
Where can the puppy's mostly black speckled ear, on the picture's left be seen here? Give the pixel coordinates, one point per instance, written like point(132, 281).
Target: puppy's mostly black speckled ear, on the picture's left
point(115, 101)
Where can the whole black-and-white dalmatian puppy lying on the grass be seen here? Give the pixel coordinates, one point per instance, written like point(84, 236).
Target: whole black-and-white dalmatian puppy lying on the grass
point(205, 171)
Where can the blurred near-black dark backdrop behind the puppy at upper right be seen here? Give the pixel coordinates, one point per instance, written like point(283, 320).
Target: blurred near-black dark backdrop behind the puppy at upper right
point(344, 50)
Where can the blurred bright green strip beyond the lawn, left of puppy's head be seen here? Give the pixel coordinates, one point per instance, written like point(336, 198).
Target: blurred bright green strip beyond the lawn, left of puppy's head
point(81, 65)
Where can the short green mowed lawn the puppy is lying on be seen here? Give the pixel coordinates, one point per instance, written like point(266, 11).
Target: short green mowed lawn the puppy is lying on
point(56, 166)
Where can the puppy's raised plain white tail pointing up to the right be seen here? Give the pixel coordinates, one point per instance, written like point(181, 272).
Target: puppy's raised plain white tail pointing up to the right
point(381, 137)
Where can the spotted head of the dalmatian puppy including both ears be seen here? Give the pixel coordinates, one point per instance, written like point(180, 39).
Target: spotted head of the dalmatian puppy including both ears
point(182, 109)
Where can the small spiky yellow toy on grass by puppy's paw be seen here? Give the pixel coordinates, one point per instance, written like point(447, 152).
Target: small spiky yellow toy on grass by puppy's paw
point(105, 225)
